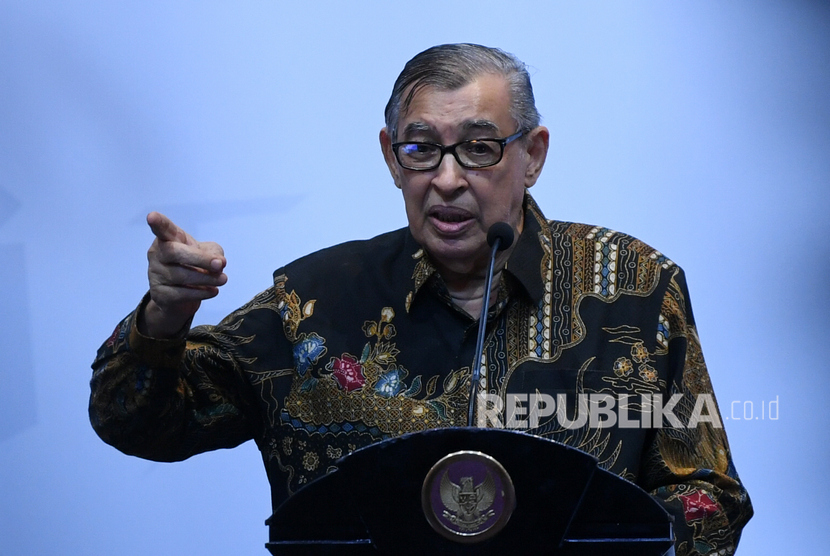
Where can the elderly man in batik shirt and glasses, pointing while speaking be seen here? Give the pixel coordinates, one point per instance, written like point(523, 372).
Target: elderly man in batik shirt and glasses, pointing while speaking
point(373, 339)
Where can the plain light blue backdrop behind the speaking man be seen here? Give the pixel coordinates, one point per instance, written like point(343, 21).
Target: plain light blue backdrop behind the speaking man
point(701, 127)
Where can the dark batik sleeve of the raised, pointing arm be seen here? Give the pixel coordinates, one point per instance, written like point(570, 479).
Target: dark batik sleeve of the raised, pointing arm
point(166, 400)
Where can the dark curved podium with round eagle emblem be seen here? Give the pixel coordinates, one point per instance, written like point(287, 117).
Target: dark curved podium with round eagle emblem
point(470, 491)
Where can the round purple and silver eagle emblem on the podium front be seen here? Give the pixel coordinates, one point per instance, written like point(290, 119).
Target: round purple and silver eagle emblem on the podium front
point(467, 497)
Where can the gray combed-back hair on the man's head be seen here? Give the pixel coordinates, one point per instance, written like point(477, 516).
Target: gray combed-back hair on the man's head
point(452, 66)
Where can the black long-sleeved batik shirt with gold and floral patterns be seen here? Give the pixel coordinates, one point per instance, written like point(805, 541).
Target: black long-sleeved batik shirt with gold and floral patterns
point(361, 342)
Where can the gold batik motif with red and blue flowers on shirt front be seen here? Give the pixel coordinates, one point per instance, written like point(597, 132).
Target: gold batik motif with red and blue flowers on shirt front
point(369, 387)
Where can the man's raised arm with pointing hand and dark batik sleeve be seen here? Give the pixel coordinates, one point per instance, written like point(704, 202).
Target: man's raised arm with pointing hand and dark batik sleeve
point(152, 393)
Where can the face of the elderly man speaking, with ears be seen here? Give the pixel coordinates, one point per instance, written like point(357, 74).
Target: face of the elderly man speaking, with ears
point(451, 208)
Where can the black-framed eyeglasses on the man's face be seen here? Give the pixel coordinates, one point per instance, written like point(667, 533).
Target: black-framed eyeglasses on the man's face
point(476, 153)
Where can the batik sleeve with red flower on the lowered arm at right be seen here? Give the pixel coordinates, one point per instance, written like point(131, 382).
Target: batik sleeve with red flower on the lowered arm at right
point(689, 468)
